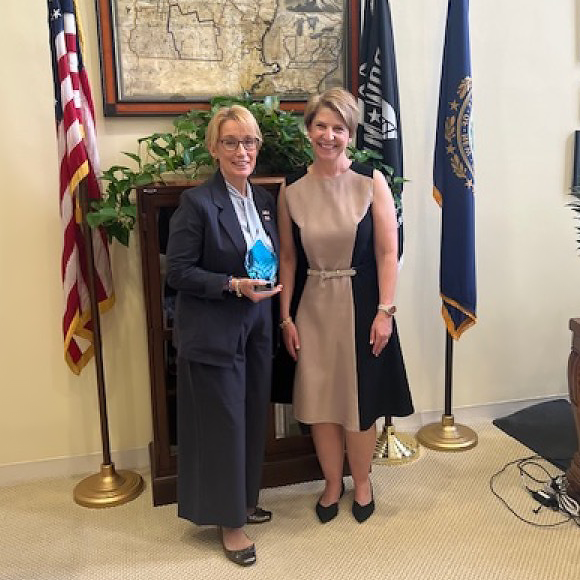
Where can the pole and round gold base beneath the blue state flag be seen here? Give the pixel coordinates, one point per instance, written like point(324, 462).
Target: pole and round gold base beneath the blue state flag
point(447, 435)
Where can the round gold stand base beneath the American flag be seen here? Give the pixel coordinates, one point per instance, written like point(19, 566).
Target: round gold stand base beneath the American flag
point(108, 488)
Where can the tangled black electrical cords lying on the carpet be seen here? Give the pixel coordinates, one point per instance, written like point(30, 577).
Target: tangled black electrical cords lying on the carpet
point(552, 494)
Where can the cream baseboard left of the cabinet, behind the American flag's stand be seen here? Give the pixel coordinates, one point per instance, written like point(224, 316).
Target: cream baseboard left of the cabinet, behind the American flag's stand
point(79, 465)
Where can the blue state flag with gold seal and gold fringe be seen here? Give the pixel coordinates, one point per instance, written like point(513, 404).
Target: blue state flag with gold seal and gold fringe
point(453, 175)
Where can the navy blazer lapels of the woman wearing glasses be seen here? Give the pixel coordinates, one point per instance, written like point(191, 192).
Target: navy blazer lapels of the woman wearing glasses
point(229, 219)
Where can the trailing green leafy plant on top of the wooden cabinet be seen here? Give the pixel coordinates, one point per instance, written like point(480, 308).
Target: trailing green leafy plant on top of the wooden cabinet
point(181, 152)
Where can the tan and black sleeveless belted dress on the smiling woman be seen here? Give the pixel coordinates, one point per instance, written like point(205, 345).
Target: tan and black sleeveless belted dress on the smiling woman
point(337, 379)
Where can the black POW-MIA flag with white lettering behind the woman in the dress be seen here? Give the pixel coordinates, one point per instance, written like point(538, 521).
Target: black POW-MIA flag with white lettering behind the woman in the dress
point(379, 126)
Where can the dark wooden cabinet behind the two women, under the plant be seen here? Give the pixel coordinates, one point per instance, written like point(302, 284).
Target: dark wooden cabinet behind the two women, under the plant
point(290, 456)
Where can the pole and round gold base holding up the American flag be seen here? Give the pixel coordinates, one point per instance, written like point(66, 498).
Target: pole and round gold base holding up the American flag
point(109, 487)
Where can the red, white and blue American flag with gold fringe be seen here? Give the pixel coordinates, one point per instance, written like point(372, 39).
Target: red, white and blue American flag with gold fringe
point(79, 161)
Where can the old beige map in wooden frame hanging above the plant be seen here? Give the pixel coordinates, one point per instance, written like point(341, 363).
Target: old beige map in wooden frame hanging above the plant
point(169, 56)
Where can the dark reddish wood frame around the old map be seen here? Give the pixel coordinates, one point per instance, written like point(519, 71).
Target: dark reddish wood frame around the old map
point(114, 106)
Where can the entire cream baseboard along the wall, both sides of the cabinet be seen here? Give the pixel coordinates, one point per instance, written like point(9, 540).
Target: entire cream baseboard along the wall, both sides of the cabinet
point(14, 473)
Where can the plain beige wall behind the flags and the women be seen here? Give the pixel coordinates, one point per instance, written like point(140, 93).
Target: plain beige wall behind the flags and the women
point(526, 85)
